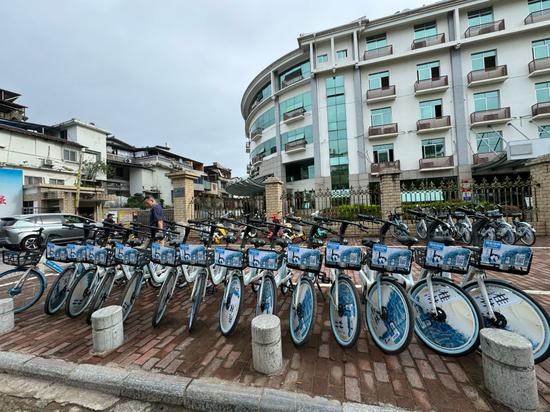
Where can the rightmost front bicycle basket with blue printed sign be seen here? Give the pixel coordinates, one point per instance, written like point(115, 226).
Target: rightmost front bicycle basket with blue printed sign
point(505, 258)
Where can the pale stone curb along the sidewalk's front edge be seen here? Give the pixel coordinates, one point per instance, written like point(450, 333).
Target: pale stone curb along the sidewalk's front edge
point(195, 394)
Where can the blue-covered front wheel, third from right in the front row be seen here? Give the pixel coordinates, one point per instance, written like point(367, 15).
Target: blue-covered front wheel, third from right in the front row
point(389, 316)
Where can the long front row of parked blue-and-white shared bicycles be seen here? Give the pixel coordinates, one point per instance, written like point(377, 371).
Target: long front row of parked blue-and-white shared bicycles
point(445, 304)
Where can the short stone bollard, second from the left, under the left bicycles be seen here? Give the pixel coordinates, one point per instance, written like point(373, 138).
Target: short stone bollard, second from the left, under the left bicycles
point(107, 329)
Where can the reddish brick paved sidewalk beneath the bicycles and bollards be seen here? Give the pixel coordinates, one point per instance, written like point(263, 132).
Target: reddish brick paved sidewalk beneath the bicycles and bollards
point(417, 378)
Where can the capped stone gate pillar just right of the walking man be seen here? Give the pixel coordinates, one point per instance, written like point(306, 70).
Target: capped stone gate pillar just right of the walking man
point(183, 185)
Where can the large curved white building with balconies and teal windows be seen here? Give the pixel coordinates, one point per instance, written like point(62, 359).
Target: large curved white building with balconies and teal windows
point(441, 91)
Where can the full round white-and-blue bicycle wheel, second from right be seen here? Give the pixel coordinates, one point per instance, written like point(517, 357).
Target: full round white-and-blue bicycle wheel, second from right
point(454, 329)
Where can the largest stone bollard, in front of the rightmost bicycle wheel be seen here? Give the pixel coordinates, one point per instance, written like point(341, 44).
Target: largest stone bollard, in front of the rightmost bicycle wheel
point(508, 368)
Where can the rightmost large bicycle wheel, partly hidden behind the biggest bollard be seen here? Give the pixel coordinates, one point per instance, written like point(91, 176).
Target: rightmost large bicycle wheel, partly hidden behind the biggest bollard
point(516, 312)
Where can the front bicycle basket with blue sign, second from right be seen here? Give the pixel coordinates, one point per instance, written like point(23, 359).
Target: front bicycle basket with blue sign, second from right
point(453, 259)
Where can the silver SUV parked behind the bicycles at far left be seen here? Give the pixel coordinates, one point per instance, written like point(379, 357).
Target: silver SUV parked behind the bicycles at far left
point(18, 232)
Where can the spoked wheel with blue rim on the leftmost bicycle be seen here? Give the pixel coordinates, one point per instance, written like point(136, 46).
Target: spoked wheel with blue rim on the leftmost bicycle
point(26, 294)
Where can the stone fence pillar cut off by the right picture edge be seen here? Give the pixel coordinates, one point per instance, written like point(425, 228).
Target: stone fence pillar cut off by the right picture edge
point(540, 175)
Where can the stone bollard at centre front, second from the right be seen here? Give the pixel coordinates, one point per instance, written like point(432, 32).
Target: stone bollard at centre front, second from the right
point(267, 351)
